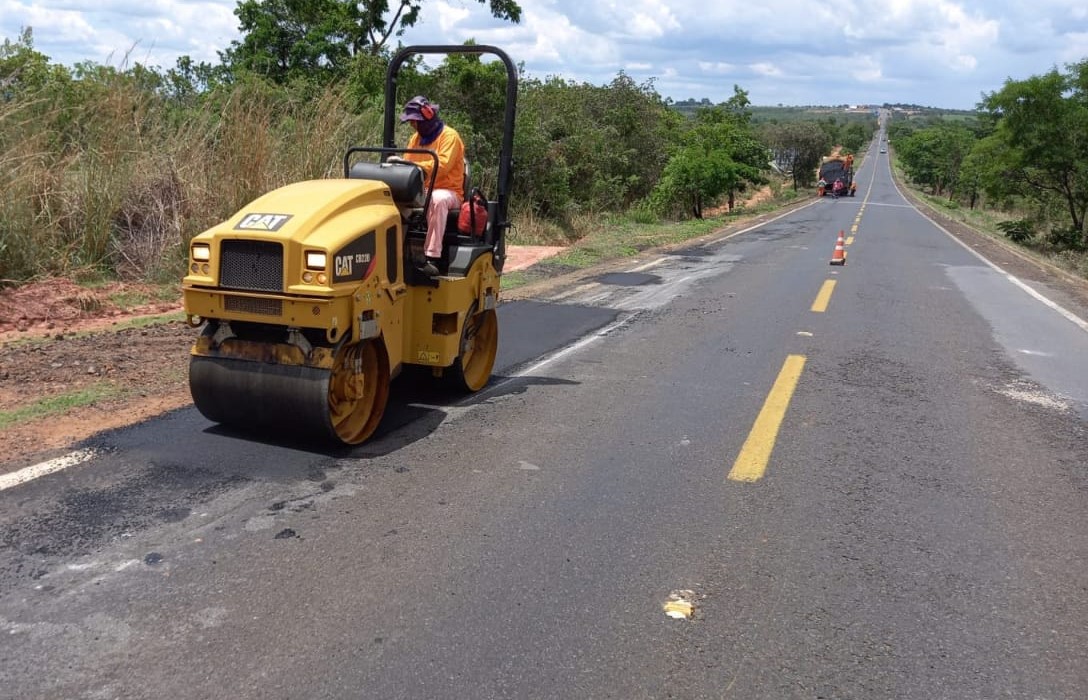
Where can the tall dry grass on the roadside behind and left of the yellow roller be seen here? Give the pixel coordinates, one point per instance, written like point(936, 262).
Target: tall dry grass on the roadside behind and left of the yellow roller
point(110, 179)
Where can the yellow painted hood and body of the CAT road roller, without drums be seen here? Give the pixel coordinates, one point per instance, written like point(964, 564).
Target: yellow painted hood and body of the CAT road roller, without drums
point(358, 230)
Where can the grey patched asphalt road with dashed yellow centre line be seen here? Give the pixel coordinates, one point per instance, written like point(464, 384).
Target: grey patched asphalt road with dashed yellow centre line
point(730, 472)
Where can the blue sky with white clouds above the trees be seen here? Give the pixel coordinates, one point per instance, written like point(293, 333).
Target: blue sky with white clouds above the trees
point(934, 53)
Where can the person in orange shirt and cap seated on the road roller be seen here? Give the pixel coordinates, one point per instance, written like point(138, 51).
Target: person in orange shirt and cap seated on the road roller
point(434, 134)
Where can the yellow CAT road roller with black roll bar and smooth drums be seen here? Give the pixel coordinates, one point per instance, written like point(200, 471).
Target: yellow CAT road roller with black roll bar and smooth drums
point(311, 299)
